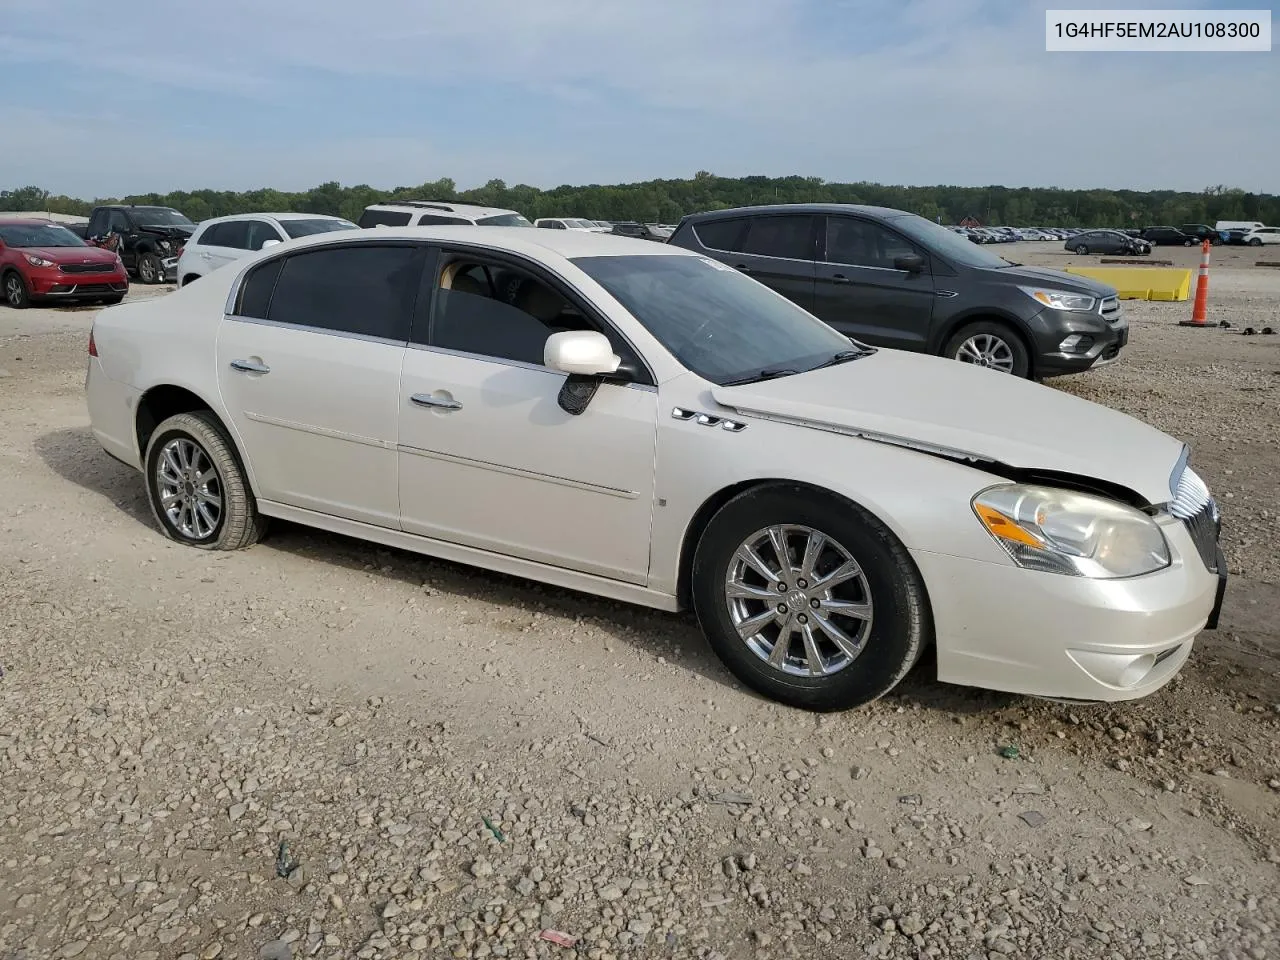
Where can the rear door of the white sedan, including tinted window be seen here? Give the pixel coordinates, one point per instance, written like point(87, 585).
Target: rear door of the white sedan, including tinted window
point(309, 365)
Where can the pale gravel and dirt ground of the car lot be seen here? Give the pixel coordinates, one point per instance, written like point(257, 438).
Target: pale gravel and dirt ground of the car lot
point(456, 761)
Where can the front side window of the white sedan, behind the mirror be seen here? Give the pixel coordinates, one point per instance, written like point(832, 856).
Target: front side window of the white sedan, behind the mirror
point(496, 310)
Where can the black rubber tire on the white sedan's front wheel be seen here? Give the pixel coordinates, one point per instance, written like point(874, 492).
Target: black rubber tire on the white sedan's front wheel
point(888, 644)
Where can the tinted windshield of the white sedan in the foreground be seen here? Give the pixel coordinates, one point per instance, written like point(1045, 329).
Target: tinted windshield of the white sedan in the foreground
point(716, 322)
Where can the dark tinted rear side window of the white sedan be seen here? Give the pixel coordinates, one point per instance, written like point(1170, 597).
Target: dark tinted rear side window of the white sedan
point(367, 290)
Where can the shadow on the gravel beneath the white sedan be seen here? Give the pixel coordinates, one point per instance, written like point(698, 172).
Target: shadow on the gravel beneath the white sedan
point(76, 456)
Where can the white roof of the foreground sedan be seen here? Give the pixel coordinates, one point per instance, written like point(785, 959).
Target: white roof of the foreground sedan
point(513, 240)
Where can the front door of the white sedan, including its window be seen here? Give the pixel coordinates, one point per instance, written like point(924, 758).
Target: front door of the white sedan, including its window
point(491, 460)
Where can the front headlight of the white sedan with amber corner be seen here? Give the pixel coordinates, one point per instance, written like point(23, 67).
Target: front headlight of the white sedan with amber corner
point(1062, 532)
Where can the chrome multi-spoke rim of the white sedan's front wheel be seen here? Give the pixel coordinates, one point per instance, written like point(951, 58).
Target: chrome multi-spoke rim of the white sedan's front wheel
point(799, 601)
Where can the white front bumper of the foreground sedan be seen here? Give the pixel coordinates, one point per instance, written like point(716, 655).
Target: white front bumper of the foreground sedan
point(1004, 628)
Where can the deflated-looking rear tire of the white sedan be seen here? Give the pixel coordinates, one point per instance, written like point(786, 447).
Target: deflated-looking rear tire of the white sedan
point(237, 523)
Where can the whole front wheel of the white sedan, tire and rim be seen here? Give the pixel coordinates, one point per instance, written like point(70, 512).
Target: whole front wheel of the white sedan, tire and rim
point(810, 600)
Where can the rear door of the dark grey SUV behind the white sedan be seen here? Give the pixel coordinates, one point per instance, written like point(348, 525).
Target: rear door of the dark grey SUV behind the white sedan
point(779, 250)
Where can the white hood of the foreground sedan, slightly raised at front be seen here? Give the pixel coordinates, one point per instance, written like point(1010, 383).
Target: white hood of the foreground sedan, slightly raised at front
point(944, 406)
